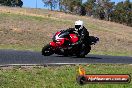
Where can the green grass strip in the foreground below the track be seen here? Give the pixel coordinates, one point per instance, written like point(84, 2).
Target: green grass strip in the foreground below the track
point(59, 76)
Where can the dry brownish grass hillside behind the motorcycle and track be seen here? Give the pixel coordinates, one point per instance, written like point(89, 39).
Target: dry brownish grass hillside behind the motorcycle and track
point(30, 29)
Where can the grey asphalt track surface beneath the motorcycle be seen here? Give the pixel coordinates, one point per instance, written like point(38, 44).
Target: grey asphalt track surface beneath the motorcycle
point(12, 57)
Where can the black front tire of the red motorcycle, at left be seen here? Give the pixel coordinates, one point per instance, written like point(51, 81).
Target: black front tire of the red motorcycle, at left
point(47, 50)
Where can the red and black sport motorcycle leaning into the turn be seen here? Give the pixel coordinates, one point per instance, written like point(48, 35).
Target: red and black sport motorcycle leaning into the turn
point(62, 40)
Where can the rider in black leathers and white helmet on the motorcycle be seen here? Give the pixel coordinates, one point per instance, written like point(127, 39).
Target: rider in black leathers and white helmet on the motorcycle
point(83, 35)
